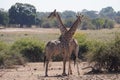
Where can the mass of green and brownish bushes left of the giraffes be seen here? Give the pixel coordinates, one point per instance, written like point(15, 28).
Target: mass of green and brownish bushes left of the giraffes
point(20, 52)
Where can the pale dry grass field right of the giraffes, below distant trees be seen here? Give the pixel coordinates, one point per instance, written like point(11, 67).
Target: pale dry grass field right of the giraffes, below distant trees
point(101, 35)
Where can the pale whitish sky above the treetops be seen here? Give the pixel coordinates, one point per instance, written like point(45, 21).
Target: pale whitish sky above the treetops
point(62, 5)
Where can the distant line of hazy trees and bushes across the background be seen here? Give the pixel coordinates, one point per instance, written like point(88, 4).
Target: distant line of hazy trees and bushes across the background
point(26, 15)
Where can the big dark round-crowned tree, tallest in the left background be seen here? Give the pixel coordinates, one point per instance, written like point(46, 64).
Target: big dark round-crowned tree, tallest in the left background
point(23, 14)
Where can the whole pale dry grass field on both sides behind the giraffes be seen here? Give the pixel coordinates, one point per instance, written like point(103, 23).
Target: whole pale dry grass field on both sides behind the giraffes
point(12, 34)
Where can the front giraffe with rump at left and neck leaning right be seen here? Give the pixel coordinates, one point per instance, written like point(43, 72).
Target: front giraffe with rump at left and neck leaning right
point(63, 46)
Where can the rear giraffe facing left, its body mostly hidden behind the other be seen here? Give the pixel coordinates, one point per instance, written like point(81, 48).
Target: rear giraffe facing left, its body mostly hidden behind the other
point(74, 44)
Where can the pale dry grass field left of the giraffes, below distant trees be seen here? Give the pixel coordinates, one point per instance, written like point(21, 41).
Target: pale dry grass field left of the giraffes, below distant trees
point(12, 34)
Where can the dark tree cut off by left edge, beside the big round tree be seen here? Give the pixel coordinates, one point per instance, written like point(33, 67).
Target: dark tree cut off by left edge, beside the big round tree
point(4, 19)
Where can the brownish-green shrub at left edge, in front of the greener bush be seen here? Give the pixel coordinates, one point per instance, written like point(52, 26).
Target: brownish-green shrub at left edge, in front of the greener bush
point(8, 59)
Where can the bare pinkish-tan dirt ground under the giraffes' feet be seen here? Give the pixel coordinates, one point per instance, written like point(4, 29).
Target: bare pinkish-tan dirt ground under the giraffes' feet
point(36, 71)
